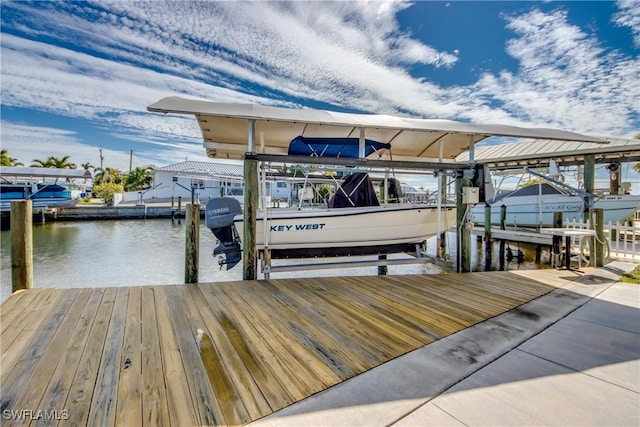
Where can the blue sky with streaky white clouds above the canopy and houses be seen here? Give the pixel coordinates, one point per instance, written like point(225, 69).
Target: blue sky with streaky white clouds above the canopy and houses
point(76, 77)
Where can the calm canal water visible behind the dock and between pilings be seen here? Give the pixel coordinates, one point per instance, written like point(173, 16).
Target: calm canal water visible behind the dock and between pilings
point(151, 252)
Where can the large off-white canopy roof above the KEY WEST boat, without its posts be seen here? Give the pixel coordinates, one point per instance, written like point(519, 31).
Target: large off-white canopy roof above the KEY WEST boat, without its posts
point(225, 129)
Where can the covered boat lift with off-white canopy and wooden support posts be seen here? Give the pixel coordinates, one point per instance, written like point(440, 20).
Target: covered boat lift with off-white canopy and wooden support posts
point(229, 130)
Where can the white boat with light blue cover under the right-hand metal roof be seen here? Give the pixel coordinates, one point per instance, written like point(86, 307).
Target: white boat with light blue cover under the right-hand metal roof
point(534, 206)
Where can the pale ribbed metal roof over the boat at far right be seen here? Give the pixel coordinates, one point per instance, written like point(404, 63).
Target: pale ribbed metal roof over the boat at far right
point(538, 153)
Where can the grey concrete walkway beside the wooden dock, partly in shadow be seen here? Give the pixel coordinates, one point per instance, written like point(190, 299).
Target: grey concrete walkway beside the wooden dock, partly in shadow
point(571, 357)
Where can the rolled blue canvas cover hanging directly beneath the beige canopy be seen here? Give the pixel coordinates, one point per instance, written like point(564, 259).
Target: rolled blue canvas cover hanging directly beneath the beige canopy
point(333, 147)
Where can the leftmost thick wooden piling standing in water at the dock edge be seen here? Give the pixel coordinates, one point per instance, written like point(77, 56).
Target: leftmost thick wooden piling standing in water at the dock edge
point(21, 245)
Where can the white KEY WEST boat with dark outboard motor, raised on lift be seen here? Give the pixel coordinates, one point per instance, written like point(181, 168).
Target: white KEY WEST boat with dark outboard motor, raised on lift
point(340, 230)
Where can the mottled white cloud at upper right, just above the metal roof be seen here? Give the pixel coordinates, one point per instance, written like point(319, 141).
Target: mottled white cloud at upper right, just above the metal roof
point(565, 79)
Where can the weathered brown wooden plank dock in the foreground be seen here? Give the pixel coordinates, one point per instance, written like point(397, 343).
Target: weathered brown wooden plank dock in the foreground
point(227, 353)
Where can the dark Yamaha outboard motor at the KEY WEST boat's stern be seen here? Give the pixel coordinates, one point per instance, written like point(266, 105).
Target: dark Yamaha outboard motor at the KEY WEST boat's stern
point(219, 214)
